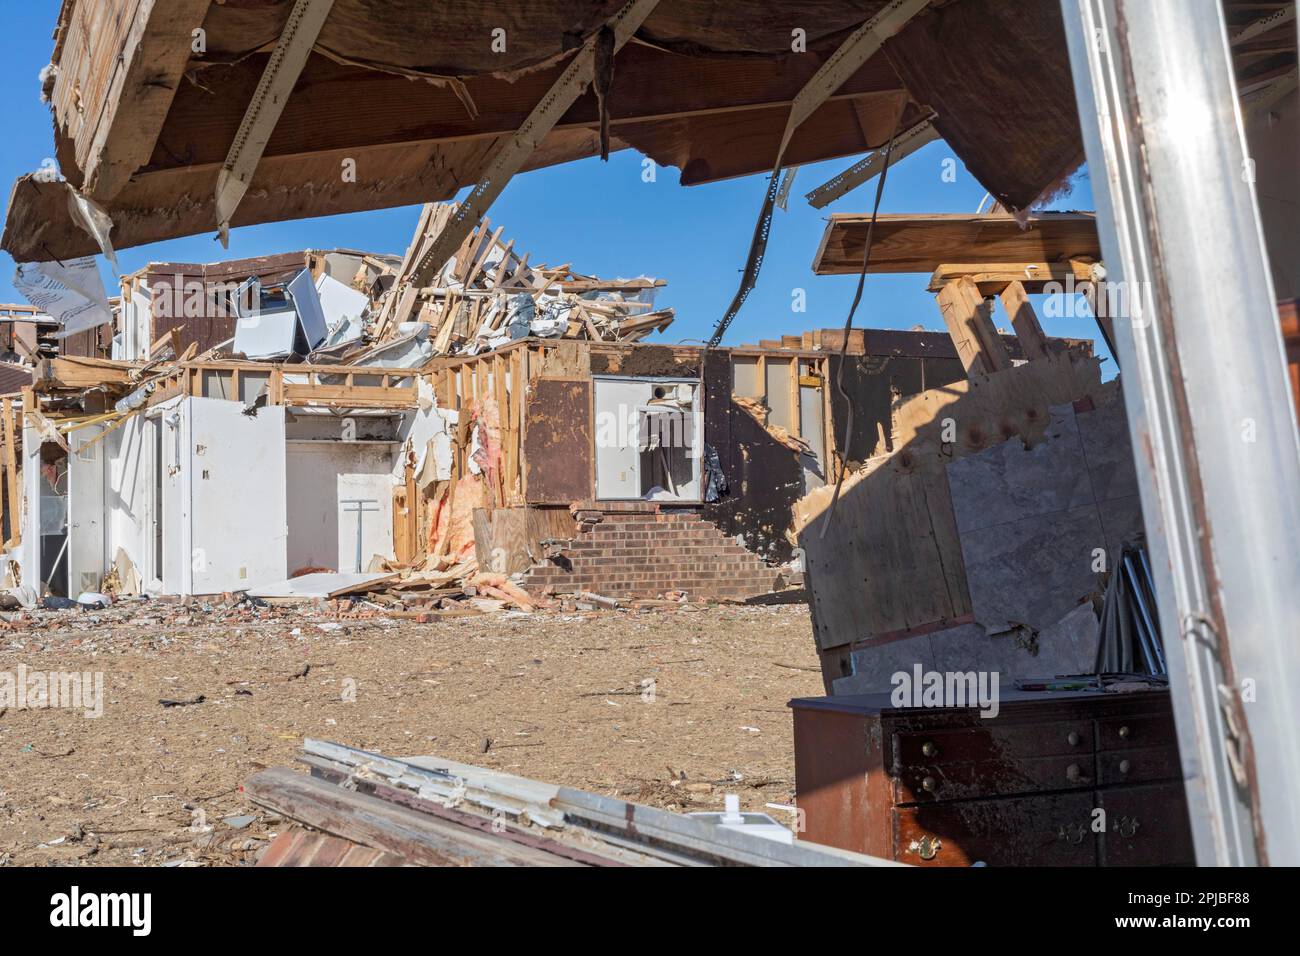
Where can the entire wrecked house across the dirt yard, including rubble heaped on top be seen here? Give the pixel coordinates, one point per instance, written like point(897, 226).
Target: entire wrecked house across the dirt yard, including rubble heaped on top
point(255, 422)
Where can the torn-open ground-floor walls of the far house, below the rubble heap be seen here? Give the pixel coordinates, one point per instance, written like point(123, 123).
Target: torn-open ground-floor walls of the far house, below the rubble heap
point(622, 469)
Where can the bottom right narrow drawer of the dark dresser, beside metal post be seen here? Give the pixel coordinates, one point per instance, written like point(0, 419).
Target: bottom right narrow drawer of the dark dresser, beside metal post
point(1147, 827)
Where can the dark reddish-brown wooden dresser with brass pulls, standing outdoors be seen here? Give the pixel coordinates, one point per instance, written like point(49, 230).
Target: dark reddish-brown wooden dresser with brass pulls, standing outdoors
point(1071, 780)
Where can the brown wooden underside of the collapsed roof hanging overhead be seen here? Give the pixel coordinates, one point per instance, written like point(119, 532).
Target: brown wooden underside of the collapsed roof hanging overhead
point(146, 120)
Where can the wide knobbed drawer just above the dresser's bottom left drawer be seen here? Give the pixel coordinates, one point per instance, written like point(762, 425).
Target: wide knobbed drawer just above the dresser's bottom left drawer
point(995, 777)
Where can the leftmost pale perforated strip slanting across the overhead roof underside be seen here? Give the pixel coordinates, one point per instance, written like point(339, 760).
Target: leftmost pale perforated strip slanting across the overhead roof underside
point(268, 102)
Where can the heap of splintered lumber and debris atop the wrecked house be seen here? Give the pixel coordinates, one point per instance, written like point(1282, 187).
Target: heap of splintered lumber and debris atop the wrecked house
point(346, 306)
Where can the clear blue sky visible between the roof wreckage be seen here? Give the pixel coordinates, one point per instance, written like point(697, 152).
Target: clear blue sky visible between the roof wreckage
point(600, 217)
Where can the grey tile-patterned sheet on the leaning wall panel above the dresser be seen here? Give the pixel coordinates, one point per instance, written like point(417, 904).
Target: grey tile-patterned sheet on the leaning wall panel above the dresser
point(1030, 522)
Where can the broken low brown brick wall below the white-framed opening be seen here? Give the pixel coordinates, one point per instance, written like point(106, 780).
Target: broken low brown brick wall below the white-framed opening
point(635, 550)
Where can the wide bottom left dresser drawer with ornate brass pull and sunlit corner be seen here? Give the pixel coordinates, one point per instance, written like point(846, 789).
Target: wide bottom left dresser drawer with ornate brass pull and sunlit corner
point(1017, 832)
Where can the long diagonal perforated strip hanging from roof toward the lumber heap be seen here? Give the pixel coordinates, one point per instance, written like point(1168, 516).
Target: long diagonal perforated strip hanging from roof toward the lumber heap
point(515, 152)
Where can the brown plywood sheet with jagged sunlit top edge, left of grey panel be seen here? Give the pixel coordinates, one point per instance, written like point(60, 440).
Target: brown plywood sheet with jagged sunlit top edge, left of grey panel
point(890, 564)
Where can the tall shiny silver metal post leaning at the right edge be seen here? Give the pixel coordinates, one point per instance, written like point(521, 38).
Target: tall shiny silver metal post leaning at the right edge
point(1202, 357)
